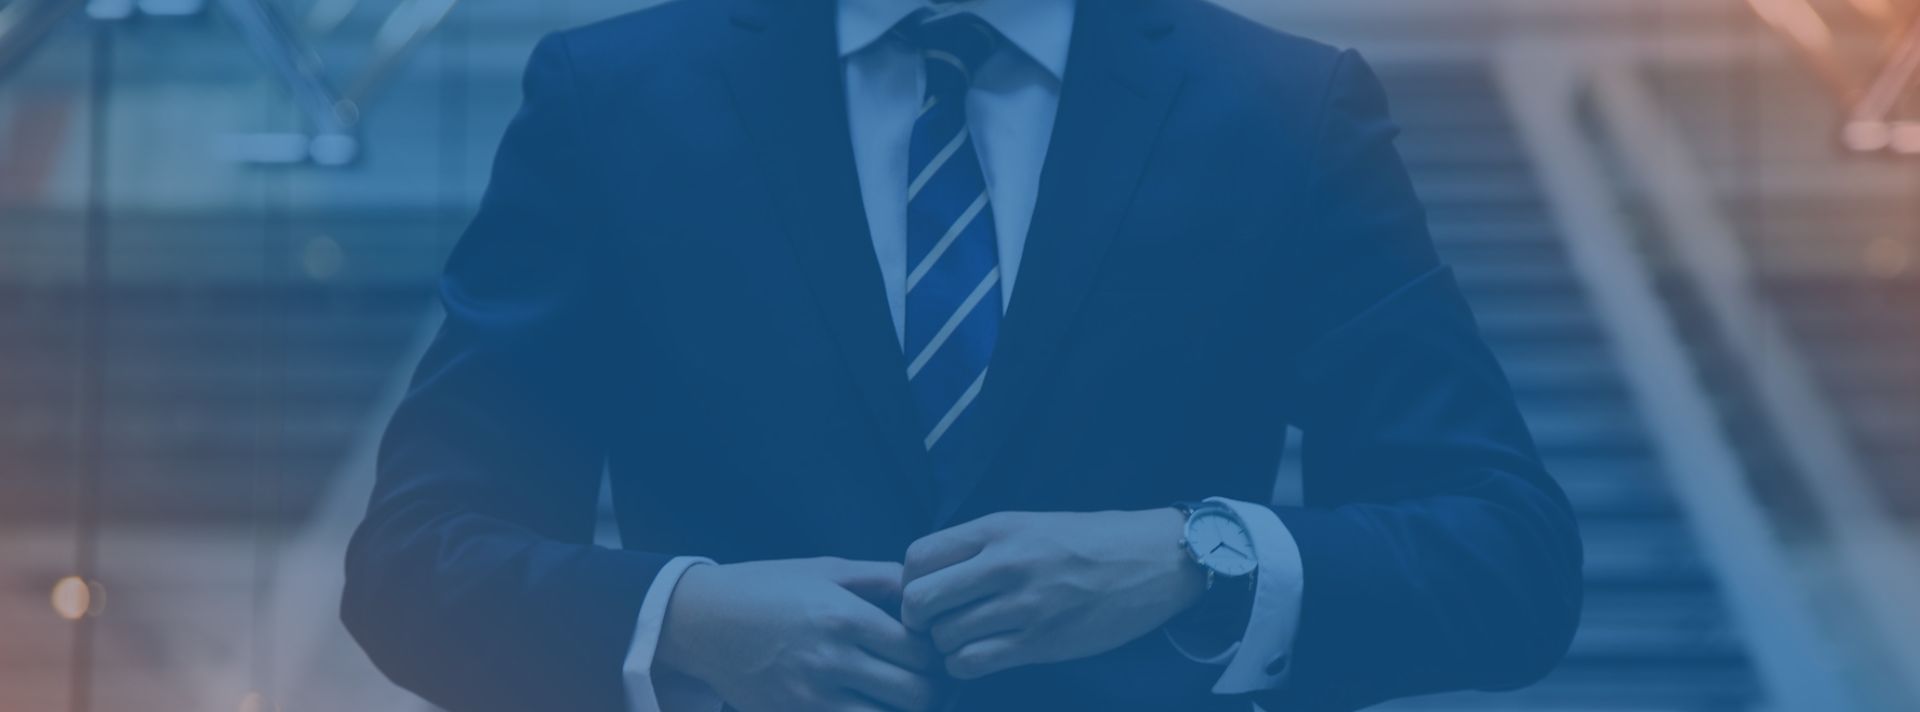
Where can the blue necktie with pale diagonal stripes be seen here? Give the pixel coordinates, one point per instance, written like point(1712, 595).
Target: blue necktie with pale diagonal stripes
point(953, 266)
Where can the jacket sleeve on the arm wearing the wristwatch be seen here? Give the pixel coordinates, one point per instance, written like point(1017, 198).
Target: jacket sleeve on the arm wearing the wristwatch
point(1437, 552)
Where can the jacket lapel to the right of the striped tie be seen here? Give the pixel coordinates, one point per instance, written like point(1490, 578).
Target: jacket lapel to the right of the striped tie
point(1115, 101)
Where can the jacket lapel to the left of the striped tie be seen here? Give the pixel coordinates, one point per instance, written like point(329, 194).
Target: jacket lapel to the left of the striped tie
point(788, 87)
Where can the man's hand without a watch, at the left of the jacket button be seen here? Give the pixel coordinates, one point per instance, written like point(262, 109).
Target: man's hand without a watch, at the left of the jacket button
point(804, 634)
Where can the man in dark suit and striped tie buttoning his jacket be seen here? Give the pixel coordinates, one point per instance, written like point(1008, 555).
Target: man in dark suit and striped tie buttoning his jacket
point(940, 356)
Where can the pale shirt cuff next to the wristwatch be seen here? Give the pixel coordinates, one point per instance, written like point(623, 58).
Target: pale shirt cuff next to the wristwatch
point(1262, 657)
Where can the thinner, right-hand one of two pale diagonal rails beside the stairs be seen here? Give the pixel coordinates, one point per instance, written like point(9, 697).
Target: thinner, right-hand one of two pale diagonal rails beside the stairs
point(1869, 552)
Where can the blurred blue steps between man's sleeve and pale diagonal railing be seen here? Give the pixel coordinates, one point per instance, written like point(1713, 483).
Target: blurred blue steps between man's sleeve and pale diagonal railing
point(1656, 634)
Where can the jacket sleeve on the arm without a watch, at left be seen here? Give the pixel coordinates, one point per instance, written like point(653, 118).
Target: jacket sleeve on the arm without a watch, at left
point(473, 579)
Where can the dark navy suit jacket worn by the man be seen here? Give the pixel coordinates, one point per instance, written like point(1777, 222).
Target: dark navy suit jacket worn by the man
point(671, 279)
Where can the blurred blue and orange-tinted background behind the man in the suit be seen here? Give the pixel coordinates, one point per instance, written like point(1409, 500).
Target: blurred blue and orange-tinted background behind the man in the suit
point(1691, 227)
